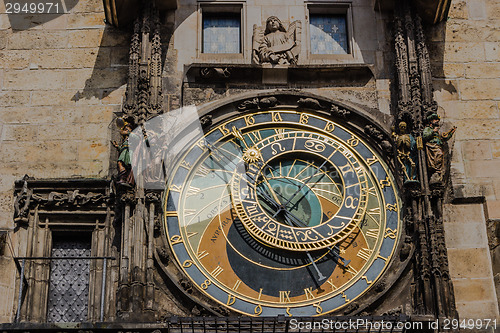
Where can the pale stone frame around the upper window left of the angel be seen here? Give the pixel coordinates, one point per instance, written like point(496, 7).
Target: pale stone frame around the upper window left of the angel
point(226, 7)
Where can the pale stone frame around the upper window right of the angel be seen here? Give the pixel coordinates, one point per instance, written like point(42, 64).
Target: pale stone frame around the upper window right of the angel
point(327, 7)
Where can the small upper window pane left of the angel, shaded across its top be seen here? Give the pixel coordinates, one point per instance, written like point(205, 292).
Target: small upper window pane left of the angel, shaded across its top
point(221, 32)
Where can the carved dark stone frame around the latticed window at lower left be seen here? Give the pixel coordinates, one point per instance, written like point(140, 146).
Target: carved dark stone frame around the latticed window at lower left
point(59, 206)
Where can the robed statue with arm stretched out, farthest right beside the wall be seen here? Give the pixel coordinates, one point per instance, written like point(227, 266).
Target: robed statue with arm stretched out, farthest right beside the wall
point(434, 141)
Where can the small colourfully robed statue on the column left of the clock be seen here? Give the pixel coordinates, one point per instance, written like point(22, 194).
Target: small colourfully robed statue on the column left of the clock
point(124, 163)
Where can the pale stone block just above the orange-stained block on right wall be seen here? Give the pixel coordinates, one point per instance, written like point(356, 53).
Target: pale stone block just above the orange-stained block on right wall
point(465, 235)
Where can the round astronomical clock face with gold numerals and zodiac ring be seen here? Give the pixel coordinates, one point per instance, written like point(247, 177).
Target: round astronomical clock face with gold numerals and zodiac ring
point(282, 212)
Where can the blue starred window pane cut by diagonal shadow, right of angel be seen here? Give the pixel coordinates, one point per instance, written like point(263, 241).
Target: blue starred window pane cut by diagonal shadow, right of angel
point(328, 34)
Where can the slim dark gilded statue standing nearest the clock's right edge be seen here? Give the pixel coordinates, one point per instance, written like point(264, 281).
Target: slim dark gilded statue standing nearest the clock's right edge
point(407, 152)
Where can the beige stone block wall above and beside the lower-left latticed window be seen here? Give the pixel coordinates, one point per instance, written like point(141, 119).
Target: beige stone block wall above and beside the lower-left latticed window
point(61, 79)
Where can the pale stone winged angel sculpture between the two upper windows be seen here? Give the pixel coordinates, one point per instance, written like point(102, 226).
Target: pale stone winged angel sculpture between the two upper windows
point(275, 44)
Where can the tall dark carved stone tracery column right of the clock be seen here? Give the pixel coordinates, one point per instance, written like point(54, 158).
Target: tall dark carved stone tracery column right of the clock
point(432, 288)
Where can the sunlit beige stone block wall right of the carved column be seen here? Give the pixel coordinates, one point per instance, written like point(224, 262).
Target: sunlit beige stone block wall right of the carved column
point(465, 54)
